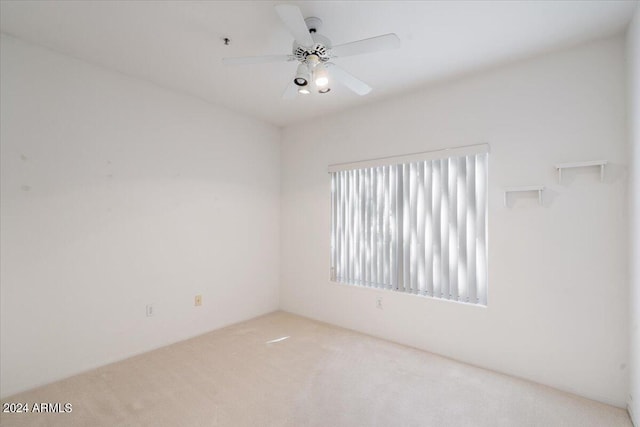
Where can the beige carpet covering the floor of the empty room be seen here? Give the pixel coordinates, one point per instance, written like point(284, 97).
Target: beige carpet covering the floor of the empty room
point(319, 376)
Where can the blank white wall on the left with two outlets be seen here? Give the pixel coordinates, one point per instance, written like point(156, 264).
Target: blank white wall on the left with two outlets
point(115, 194)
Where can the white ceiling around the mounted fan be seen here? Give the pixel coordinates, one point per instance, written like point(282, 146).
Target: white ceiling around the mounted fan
point(178, 44)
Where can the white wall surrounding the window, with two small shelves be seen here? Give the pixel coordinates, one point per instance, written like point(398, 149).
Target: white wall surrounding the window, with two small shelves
point(558, 310)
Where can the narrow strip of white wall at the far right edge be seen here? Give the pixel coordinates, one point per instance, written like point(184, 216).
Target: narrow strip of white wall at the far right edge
point(633, 61)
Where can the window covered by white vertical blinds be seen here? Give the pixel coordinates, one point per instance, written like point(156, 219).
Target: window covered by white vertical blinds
point(415, 224)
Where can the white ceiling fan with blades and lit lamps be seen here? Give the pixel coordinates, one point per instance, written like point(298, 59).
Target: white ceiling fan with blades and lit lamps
point(313, 52)
